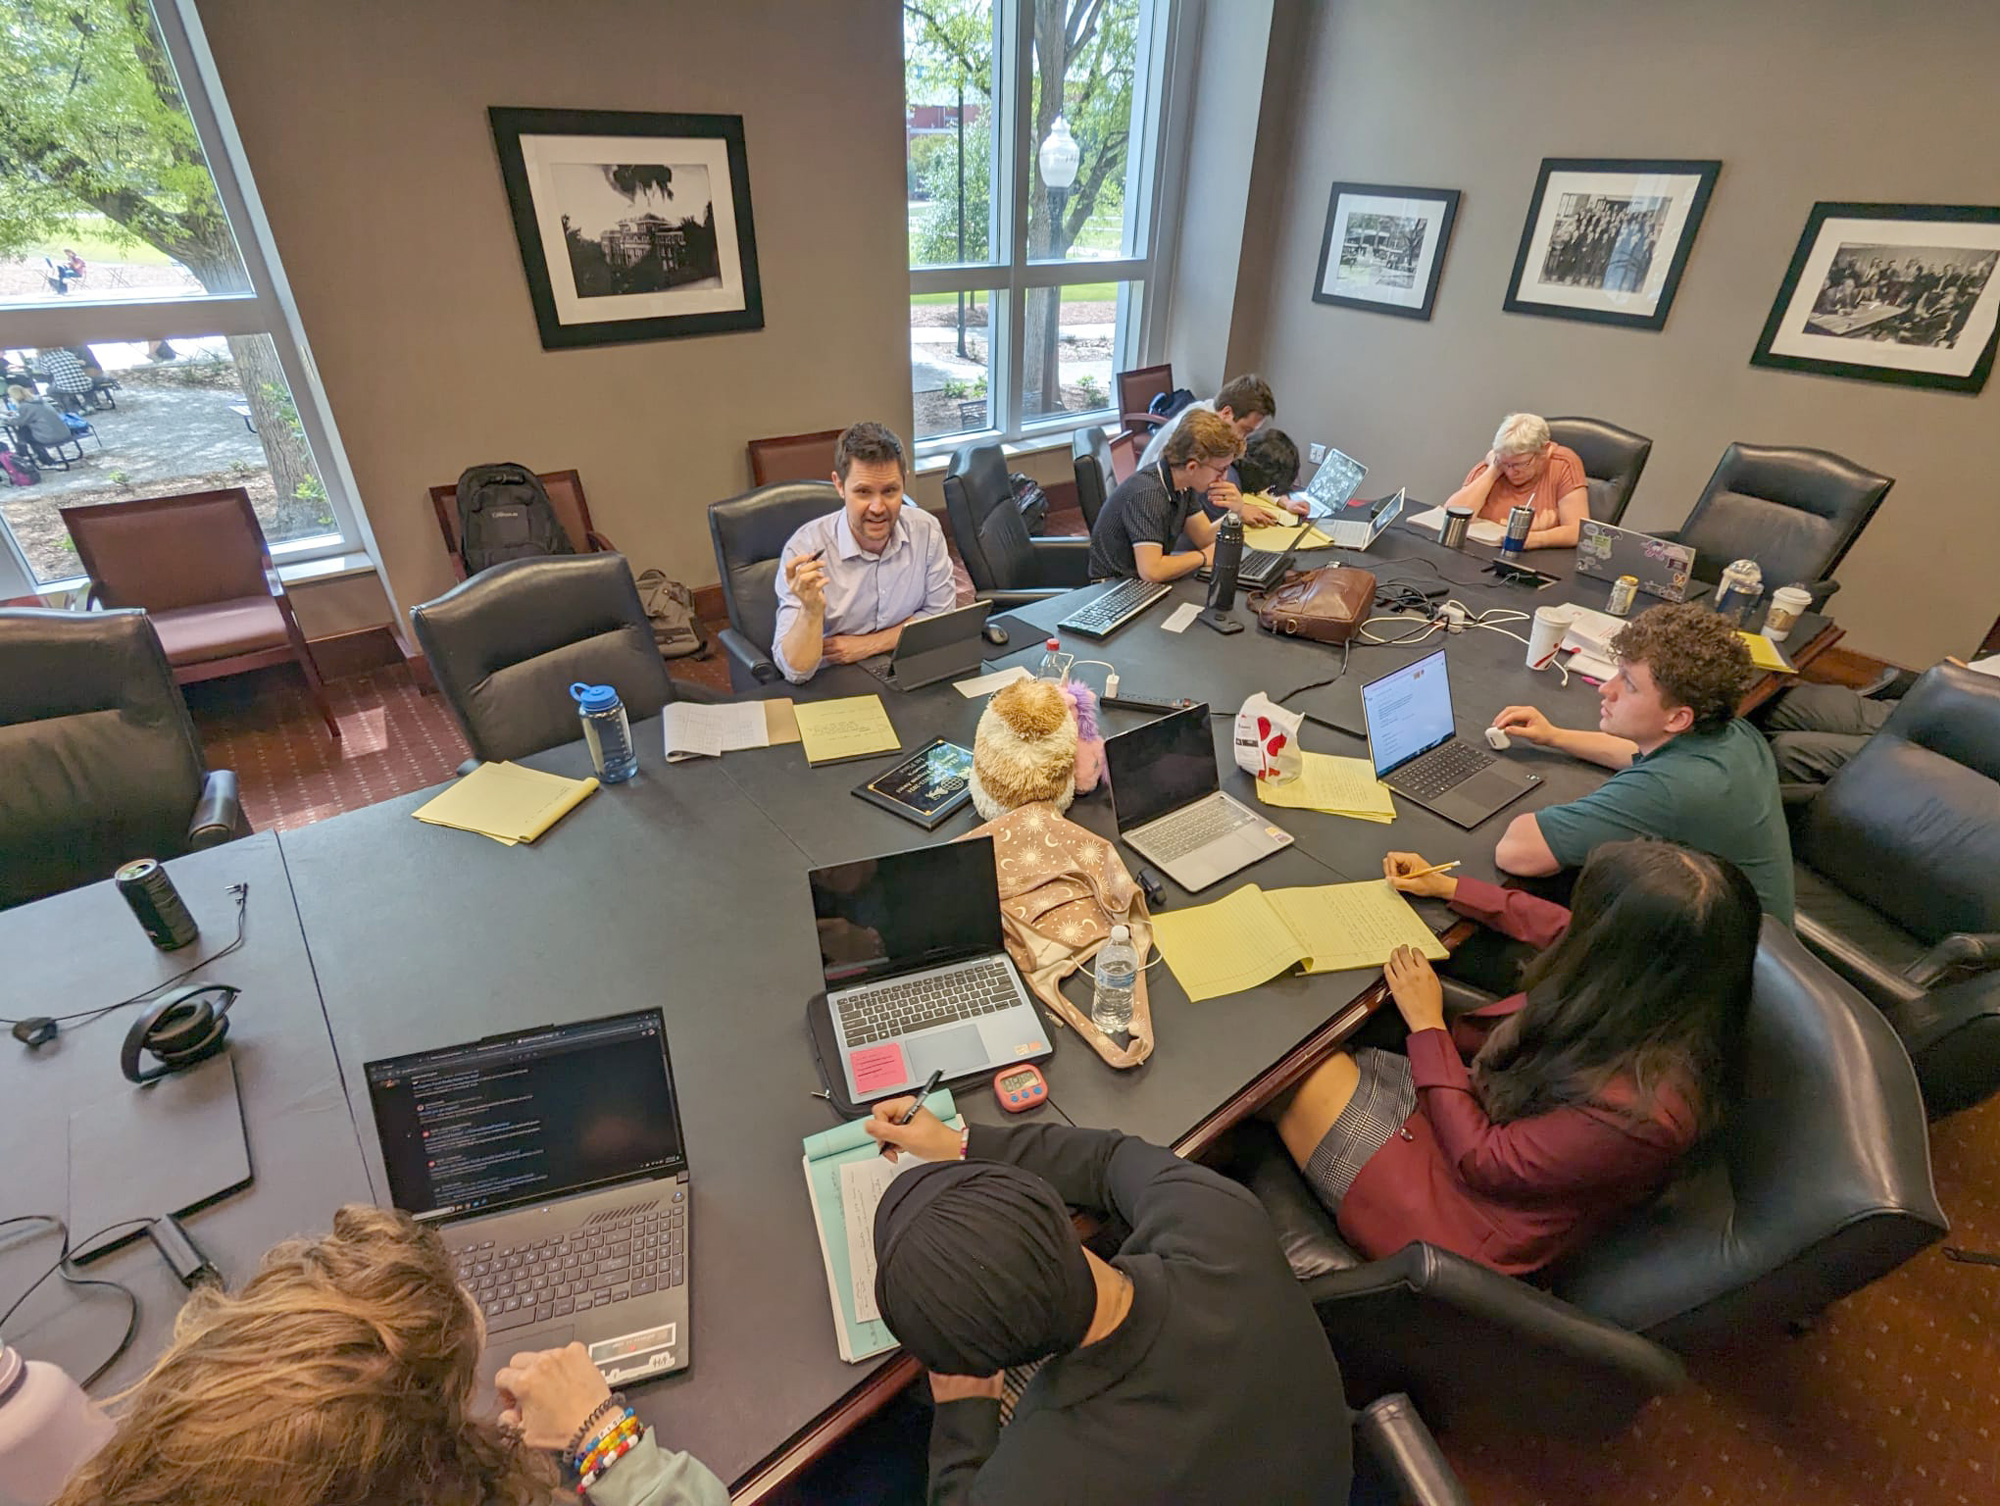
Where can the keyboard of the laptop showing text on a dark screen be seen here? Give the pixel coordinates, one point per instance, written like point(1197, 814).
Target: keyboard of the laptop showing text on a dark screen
point(585, 1269)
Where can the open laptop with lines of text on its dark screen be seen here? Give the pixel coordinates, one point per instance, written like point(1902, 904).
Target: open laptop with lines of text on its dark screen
point(553, 1163)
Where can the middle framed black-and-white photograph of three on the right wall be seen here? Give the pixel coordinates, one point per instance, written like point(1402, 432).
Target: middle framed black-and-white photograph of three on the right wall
point(1609, 239)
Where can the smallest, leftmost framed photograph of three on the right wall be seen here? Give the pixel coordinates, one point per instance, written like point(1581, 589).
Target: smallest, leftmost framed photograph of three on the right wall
point(1385, 249)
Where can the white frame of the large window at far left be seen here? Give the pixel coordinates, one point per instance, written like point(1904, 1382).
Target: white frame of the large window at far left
point(265, 309)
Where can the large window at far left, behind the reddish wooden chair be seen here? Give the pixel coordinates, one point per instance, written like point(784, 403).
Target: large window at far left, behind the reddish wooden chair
point(133, 297)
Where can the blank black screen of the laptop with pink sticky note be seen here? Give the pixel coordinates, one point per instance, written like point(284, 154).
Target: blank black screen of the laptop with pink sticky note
point(907, 911)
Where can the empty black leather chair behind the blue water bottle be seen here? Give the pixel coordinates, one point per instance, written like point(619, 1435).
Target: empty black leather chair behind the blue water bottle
point(507, 647)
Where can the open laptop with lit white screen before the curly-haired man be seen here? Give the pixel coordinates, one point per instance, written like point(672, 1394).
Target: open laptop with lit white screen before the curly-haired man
point(1415, 745)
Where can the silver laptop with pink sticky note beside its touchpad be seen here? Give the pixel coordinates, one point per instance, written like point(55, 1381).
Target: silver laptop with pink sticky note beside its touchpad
point(917, 969)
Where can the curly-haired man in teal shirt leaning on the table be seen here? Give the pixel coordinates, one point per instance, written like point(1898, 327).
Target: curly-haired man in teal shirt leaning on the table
point(1689, 769)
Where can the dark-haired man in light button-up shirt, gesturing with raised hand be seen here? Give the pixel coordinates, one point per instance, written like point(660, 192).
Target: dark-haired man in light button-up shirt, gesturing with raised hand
point(849, 583)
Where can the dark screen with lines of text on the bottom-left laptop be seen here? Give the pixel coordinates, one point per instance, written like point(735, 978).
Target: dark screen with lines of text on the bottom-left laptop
point(527, 1117)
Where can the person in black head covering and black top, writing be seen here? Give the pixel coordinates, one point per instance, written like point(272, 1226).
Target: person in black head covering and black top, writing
point(1187, 1369)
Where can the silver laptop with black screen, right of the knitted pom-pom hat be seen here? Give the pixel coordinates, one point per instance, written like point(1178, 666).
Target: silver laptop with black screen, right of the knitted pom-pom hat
point(1171, 807)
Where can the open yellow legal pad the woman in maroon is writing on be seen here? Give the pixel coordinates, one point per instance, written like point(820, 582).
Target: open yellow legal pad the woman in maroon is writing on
point(1251, 937)
